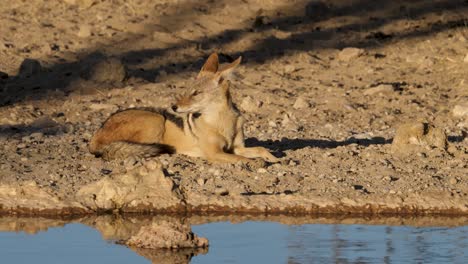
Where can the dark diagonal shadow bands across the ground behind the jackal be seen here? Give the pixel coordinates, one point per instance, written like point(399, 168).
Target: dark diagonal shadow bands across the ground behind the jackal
point(319, 25)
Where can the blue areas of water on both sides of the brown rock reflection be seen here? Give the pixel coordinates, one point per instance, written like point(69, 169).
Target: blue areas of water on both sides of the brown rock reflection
point(255, 242)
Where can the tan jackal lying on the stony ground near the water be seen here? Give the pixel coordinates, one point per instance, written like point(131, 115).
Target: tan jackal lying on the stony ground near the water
point(209, 124)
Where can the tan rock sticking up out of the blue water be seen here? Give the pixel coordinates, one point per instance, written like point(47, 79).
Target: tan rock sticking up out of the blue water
point(165, 234)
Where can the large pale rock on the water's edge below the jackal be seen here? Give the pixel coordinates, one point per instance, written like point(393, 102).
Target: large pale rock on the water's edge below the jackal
point(145, 188)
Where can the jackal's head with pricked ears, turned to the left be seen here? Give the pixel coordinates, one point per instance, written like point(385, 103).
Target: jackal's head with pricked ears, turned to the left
point(210, 91)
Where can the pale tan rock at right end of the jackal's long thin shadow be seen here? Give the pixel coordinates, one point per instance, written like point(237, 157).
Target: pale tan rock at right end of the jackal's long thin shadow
point(411, 135)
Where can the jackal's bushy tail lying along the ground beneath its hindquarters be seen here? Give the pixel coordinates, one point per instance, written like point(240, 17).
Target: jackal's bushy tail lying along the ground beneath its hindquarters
point(125, 149)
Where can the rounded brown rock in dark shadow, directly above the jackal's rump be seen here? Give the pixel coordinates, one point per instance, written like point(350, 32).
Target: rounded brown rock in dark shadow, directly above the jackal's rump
point(105, 70)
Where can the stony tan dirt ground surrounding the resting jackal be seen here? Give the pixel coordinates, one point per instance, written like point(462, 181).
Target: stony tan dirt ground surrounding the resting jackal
point(323, 85)
